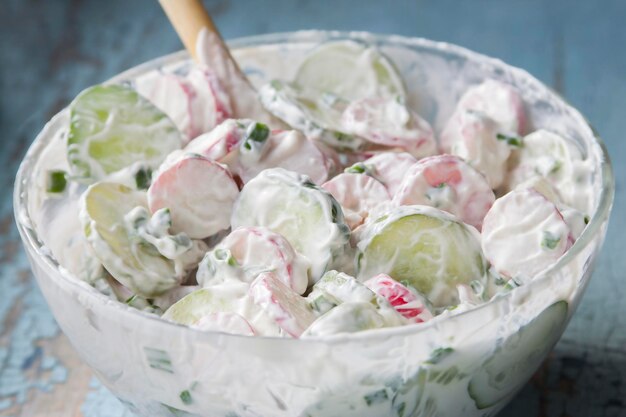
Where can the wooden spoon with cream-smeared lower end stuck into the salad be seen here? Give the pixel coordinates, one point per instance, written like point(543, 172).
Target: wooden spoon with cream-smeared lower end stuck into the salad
point(206, 46)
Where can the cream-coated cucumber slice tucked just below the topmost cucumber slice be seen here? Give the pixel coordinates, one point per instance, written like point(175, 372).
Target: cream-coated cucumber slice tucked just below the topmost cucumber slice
point(315, 114)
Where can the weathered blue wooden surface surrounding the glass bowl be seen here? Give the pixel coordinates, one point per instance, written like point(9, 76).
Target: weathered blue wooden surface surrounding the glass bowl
point(50, 50)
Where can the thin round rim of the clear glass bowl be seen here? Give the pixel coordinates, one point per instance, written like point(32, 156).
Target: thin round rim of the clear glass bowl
point(32, 241)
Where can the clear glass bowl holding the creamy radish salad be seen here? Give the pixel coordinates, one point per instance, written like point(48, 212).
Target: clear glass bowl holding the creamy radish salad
point(470, 363)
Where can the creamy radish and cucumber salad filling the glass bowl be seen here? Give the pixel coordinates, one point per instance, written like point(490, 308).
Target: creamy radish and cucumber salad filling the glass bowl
point(337, 209)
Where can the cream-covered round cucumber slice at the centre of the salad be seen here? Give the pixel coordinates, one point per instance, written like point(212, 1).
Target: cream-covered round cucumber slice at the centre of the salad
point(291, 205)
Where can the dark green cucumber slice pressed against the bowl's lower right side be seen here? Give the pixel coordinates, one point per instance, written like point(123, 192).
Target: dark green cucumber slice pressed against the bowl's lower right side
point(517, 358)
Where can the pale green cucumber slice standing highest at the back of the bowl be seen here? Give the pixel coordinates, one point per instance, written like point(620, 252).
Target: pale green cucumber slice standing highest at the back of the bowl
point(351, 70)
